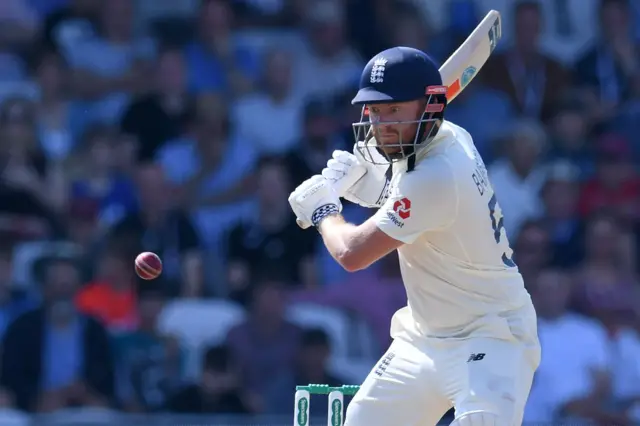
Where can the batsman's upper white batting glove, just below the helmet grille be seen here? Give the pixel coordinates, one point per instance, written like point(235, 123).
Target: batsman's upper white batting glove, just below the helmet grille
point(356, 179)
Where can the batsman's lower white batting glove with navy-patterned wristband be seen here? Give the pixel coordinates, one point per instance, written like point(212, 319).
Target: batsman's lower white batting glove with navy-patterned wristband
point(313, 200)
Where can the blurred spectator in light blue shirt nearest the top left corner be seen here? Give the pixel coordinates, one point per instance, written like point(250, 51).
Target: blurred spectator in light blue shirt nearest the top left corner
point(109, 69)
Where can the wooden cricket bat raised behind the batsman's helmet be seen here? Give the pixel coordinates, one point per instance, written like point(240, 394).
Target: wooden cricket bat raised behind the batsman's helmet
point(463, 65)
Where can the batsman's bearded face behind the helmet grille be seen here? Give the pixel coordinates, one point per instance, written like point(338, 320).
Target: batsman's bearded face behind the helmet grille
point(395, 123)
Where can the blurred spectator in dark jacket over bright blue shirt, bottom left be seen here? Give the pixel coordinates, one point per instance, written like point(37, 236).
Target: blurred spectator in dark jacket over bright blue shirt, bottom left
point(55, 357)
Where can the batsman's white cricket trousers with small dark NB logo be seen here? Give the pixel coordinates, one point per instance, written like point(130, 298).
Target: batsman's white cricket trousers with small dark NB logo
point(419, 378)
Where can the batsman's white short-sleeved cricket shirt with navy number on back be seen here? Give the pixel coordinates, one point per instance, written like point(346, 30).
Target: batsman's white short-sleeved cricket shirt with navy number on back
point(456, 261)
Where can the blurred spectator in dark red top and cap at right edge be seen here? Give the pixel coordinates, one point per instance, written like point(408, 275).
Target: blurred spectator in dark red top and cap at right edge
point(615, 185)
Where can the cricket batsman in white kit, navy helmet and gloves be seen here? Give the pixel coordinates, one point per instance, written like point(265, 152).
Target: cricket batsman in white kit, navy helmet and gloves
point(467, 337)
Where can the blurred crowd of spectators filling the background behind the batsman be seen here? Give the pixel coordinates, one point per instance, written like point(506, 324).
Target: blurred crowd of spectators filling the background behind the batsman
point(181, 126)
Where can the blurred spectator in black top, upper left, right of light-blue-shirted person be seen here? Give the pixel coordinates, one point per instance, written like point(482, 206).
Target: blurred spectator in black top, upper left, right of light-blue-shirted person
point(165, 113)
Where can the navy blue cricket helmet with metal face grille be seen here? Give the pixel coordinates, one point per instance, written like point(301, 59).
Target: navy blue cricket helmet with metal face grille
point(400, 74)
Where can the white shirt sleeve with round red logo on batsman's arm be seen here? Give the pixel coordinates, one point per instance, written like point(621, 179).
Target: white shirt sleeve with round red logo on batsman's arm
point(425, 199)
